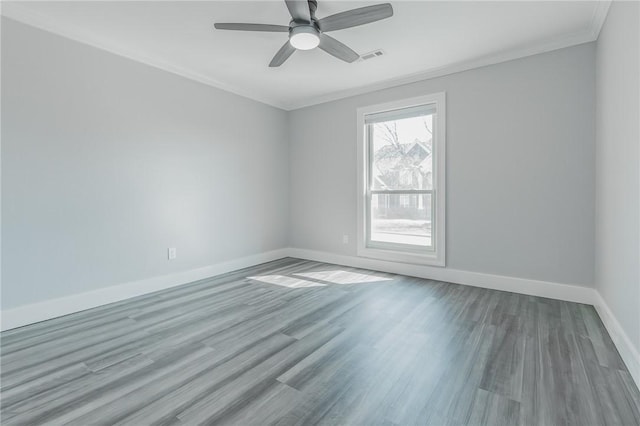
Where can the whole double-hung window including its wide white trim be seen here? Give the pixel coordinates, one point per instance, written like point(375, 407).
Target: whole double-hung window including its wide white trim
point(401, 159)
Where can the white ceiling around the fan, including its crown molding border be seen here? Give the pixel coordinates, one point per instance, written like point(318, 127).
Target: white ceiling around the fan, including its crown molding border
point(423, 39)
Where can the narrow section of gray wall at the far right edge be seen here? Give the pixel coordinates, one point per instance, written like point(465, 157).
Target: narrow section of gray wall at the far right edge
point(618, 166)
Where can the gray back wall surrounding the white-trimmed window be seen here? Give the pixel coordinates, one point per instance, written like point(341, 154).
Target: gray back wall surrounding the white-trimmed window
point(520, 167)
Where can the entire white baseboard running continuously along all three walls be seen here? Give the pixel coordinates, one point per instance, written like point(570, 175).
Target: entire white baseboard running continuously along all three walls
point(36, 312)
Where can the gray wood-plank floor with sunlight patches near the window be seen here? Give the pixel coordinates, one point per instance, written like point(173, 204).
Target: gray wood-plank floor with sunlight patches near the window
point(299, 342)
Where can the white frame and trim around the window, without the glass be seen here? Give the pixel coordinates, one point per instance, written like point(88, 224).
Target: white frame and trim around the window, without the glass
point(436, 256)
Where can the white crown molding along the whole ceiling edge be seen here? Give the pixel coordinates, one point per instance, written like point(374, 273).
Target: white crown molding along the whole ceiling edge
point(14, 11)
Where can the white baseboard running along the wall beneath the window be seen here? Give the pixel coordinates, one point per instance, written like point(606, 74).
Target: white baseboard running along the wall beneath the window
point(568, 292)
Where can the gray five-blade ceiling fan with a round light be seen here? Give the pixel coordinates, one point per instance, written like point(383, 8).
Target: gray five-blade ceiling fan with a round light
point(307, 32)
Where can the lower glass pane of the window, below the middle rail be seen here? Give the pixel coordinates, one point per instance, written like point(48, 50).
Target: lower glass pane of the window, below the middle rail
point(401, 219)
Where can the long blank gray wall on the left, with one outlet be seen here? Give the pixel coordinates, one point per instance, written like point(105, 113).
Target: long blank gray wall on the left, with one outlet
point(107, 162)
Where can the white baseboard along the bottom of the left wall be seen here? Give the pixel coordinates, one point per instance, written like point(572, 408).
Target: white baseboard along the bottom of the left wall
point(36, 312)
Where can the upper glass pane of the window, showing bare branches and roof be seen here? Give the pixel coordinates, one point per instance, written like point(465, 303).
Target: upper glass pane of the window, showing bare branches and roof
point(402, 153)
